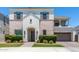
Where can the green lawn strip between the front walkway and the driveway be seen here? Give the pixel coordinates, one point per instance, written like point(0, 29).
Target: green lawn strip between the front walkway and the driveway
point(47, 45)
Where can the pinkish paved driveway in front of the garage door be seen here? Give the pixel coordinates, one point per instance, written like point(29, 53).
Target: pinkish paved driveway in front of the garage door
point(72, 46)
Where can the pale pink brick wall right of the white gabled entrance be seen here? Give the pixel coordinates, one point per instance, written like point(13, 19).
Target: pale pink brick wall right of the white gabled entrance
point(48, 26)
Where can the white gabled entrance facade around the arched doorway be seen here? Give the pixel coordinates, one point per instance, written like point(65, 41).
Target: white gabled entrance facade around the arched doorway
point(34, 24)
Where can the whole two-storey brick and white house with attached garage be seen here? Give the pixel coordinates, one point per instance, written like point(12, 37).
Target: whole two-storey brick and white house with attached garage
point(32, 22)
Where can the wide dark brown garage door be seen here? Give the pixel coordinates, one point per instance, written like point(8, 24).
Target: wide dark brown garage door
point(63, 36)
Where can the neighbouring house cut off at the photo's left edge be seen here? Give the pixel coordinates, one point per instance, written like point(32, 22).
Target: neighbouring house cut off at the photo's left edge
point(3, 27)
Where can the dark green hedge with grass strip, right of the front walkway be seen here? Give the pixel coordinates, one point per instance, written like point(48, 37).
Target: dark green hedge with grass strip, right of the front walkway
point(47, 41)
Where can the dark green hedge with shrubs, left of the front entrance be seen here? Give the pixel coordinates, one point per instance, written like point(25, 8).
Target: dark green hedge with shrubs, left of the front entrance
point(14, 38)
